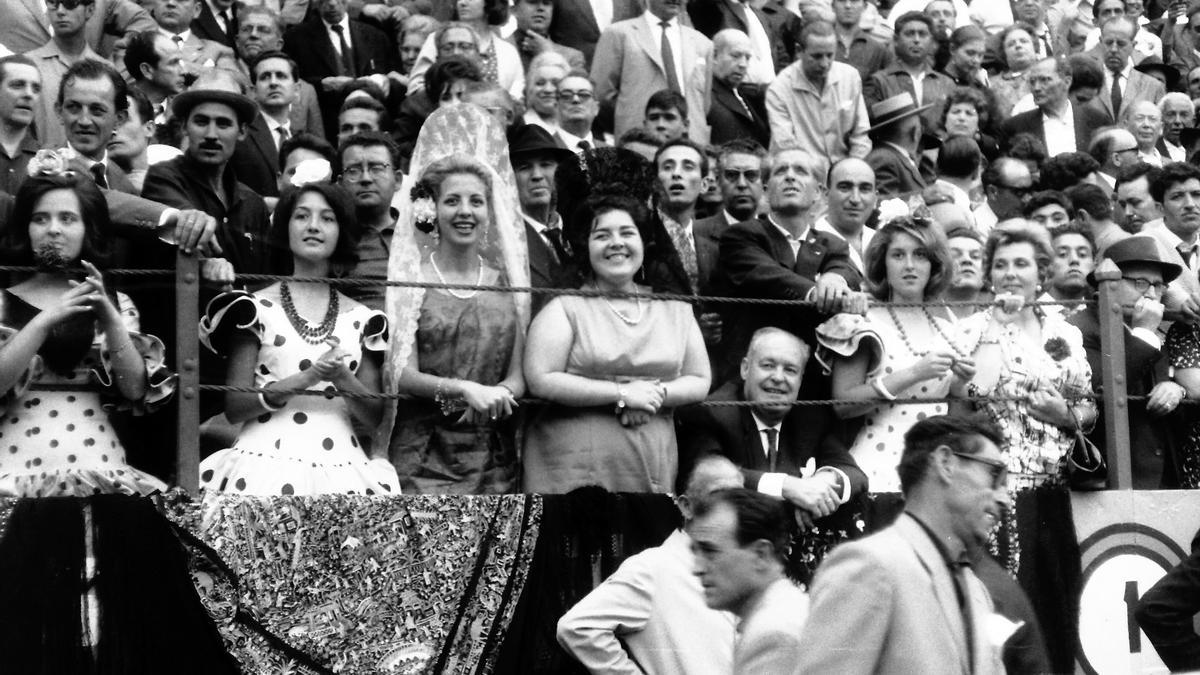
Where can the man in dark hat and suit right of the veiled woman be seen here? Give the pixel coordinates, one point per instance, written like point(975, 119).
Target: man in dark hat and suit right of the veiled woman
point(536, 158)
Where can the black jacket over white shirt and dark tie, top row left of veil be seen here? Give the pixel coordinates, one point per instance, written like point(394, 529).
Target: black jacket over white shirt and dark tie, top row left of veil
point(316, 59)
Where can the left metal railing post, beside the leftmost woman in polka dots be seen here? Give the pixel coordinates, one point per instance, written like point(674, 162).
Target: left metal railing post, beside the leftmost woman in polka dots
point(188, 348)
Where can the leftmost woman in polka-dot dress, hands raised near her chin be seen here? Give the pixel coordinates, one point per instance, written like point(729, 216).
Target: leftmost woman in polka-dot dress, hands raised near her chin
point(57, 330)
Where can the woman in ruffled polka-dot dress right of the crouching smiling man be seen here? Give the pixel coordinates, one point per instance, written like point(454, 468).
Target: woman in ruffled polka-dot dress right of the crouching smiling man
point(896, 354)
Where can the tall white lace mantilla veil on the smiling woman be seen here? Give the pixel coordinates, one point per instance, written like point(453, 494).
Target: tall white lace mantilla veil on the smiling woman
point(461, 129)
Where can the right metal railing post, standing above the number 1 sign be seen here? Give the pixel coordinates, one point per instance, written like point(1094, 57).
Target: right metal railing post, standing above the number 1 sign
point(1117, 403)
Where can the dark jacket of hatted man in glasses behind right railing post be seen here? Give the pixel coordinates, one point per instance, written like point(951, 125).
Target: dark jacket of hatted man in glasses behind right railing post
point(1153, 439)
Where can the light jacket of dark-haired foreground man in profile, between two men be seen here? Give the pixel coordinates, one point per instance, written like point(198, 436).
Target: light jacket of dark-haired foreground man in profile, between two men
point(770, 634)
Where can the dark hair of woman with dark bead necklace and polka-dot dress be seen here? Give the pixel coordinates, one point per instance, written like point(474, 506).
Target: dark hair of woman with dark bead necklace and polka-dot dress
point(345, 256)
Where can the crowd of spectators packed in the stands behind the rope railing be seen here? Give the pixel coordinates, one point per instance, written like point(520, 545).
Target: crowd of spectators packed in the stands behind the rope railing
point(875, 159)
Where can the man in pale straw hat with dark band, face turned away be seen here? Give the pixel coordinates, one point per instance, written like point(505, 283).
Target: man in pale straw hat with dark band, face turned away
point(896, 134)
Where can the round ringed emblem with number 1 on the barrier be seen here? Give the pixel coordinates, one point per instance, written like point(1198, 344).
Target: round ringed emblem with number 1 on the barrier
point(1121, 563)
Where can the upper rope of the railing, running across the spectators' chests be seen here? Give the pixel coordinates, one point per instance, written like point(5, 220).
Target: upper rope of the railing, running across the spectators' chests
point(357, 283)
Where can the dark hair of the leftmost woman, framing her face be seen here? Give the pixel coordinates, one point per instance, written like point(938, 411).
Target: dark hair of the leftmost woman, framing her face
point(98, 226)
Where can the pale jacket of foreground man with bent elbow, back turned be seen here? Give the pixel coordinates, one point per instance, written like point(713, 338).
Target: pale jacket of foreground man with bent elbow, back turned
point(650, 617)
